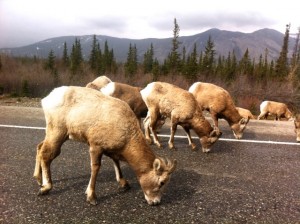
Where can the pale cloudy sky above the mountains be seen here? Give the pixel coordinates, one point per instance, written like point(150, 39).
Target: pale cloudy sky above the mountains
point(24, 22)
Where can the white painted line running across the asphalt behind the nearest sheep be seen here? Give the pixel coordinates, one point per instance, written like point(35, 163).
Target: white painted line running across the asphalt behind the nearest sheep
point(177, 136)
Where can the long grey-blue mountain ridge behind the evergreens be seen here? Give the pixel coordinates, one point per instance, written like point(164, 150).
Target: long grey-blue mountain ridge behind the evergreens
point(225, 42)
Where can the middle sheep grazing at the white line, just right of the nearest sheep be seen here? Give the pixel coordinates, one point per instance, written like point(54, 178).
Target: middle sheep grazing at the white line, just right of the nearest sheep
point(167, 100)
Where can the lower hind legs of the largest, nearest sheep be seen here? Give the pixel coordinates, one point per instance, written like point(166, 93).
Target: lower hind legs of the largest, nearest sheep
point(46, 154)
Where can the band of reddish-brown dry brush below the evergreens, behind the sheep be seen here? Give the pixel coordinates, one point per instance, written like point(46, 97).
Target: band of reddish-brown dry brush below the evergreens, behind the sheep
point(27, 77)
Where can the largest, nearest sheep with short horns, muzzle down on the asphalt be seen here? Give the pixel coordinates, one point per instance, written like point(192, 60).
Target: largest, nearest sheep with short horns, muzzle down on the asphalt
point(110, 128)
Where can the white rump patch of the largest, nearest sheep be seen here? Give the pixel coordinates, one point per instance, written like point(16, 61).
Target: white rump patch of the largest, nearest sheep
point(55, 98)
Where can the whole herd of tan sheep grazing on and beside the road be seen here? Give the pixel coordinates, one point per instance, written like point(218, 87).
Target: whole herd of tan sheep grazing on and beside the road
point(108, 117)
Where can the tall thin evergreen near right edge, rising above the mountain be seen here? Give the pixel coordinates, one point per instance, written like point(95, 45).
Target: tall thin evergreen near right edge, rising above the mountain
point(282, 62)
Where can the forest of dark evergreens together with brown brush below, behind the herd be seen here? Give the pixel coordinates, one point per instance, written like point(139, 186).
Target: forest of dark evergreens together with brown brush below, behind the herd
point(248, 80)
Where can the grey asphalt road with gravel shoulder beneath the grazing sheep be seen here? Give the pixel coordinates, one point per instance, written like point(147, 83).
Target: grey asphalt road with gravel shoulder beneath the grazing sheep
point(249, 181)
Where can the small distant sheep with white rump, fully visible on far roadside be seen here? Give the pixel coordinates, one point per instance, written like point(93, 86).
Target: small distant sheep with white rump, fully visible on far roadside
point(275, 108)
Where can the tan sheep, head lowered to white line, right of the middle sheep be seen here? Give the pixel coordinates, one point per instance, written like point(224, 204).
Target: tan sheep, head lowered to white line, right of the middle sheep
point(220, 105)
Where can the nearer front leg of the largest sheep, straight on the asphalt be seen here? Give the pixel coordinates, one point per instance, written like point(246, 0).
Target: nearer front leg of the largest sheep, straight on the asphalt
point(95, 157)
